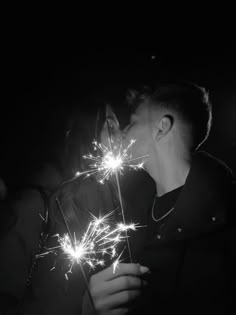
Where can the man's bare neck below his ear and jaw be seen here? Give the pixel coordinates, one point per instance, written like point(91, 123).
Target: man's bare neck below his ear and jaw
point(169, 173)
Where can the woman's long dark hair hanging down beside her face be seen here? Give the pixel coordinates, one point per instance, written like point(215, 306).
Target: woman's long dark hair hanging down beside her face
point(82, 129)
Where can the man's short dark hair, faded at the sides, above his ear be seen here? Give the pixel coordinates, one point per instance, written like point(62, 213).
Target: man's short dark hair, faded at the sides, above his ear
point(189, 101)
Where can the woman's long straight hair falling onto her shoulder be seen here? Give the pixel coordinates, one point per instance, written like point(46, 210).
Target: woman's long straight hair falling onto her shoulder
point(79, 134)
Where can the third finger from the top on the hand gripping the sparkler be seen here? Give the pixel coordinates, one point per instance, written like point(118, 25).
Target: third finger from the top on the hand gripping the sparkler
point(120, 299)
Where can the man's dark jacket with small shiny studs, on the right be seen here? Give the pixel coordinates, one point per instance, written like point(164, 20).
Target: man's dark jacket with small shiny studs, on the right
point(192, 261)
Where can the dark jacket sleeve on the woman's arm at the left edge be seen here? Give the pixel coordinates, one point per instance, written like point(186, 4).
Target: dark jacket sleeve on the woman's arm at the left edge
point(17, 247)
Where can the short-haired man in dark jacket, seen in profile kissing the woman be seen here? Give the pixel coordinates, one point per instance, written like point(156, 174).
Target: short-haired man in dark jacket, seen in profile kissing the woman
point(184, 247)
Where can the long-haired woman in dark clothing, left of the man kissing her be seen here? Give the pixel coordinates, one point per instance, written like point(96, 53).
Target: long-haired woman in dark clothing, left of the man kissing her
point(29, 285)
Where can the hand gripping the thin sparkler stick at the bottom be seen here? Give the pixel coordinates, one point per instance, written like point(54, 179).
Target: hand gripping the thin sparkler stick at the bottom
point(114, 293)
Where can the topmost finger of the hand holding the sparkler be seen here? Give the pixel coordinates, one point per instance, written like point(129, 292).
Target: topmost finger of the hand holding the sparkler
point(122, 270)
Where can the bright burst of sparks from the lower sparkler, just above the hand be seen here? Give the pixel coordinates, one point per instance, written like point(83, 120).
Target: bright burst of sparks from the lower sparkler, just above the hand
point(97, 245)
